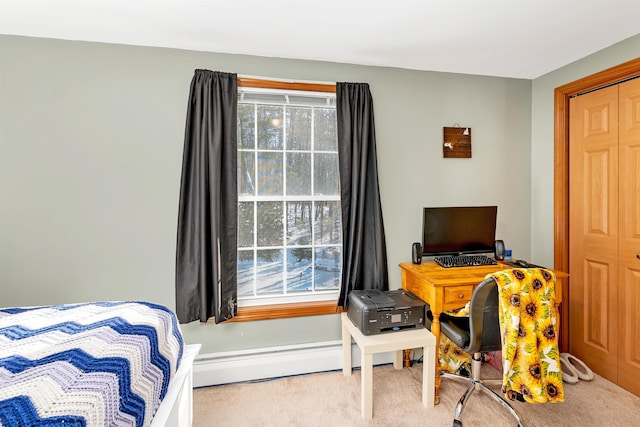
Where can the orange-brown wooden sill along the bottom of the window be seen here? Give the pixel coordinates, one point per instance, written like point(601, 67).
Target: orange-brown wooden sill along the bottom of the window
point(284, 311)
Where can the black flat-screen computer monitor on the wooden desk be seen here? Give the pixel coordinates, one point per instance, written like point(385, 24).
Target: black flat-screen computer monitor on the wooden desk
point(458, 230)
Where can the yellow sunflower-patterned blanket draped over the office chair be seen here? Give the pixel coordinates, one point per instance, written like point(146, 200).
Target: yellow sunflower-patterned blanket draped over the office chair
point(530, 354)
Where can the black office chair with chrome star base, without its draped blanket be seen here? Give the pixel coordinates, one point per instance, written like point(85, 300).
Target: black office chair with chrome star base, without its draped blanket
point(476, 334)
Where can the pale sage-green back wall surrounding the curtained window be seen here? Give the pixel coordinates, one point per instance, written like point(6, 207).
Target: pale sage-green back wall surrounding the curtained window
point(91, 142)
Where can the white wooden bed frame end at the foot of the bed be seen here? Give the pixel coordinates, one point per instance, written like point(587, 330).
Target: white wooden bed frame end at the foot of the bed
point(176, 408)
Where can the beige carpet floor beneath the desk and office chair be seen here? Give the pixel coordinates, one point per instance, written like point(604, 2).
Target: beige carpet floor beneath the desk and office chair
point(331, 399)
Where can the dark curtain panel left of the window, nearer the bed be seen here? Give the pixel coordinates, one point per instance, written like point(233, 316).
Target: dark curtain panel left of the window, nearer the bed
point(206, 258)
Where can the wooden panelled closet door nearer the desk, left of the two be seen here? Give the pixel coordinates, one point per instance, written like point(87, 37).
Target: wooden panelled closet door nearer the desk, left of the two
point(593, 237)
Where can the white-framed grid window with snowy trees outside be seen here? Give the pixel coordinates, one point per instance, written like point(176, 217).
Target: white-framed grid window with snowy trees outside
point(289, 215)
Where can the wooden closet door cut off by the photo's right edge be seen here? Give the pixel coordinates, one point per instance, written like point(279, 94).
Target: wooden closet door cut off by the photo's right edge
point(629, 240)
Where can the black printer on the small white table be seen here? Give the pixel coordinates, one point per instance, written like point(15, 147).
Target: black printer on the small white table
point(374, 311)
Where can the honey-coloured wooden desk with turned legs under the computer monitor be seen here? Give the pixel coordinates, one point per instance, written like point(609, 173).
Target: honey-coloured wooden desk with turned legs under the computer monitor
point(450, 288)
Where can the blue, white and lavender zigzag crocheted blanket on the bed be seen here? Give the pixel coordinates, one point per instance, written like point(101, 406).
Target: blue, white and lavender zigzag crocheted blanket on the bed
point(94, 364)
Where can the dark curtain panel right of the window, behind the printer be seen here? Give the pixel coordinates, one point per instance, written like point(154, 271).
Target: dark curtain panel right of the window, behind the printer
point(364, 253)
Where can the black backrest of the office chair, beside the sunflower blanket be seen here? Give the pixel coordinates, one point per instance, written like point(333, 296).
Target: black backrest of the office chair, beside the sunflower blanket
point(484, 318)
